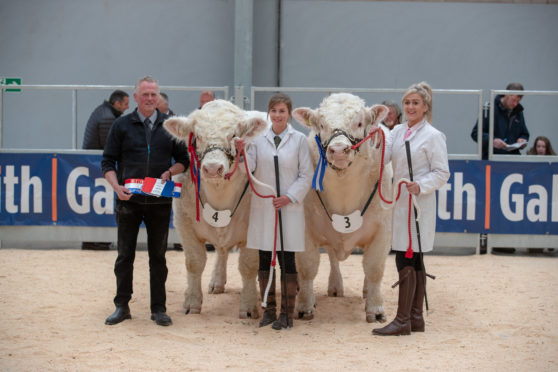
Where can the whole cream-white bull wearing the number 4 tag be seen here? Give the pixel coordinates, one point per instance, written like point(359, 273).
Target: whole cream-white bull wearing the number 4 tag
point(213, 128)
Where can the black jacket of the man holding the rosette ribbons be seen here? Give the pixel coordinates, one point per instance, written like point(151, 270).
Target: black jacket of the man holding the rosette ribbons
point(133, 151)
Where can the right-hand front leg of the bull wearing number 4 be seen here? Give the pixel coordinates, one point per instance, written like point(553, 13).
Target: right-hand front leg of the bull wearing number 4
point(248, 262)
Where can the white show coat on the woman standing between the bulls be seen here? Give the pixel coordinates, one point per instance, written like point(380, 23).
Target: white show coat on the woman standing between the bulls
point(295, 179)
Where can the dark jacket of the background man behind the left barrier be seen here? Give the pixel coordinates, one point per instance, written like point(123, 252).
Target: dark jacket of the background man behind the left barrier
point(98, 126)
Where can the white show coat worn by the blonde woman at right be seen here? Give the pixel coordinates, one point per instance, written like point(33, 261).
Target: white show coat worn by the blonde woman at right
point(430, 170)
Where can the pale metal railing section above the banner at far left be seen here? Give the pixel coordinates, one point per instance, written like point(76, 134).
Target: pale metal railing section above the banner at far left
point(75, 88)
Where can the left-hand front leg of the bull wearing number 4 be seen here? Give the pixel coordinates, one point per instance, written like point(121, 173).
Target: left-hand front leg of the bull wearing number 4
point(196, 257)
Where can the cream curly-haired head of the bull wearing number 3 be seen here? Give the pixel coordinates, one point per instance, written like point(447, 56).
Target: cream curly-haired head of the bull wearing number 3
point(341, 121)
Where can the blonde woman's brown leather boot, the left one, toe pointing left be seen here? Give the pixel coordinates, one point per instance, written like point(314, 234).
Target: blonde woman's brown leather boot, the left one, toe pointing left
point(401, 325)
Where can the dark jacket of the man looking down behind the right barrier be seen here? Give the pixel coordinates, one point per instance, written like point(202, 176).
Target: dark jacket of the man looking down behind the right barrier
point(509, 126)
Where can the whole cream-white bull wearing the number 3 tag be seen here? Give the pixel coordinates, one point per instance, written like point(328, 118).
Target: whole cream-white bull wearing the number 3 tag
point(349, 181)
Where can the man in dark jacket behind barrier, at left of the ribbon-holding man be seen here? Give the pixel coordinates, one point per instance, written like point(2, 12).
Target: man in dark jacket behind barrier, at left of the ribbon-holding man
point(95, 137)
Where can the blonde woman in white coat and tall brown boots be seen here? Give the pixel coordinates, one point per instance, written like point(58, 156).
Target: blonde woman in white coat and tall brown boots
point(431, 171)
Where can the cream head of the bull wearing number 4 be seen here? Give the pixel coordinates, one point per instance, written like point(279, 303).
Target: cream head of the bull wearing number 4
point(214, 128)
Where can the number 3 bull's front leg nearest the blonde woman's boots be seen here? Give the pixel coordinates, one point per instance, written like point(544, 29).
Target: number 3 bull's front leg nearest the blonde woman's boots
point(373, 262)
